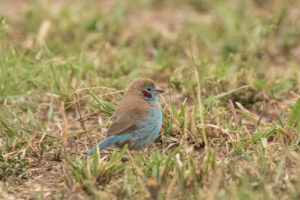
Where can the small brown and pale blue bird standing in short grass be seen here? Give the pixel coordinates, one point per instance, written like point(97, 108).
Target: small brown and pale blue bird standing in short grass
point(137, 119)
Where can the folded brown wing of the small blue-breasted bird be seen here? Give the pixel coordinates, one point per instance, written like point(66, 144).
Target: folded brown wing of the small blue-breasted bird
point(125, 121)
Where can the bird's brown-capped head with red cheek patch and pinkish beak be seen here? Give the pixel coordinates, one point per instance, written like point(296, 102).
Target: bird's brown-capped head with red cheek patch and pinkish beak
point(146, 88)
